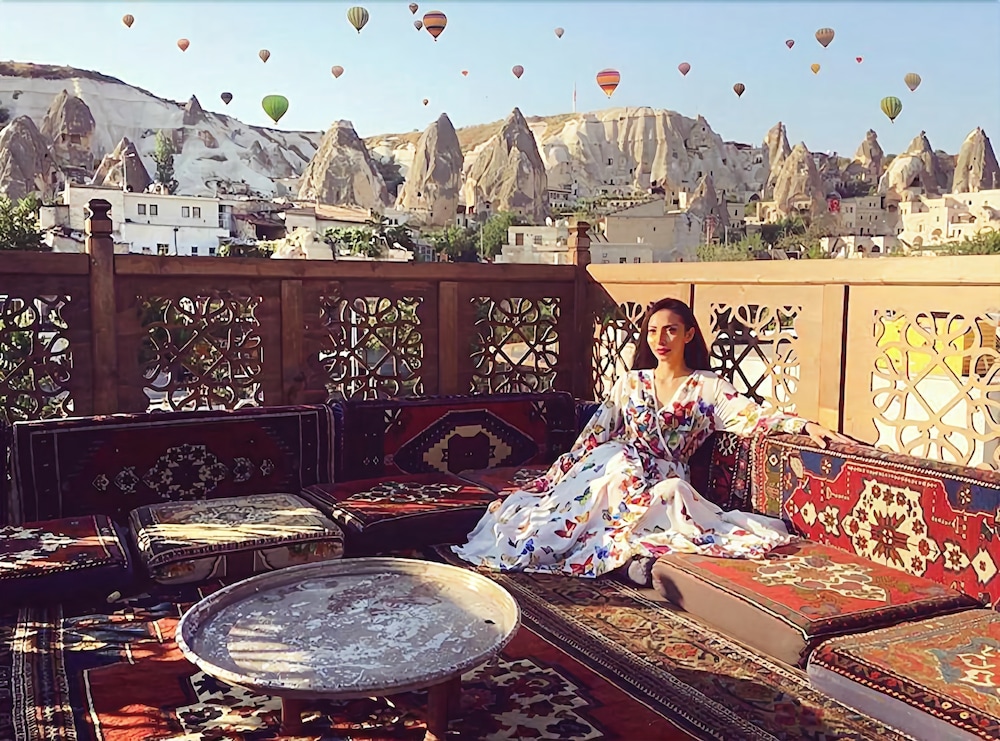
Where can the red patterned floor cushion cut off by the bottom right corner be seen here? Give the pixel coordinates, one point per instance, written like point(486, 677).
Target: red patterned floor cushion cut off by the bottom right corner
point(948, 668)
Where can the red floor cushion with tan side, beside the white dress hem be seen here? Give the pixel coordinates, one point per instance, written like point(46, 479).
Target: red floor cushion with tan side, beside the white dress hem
point(799, 595)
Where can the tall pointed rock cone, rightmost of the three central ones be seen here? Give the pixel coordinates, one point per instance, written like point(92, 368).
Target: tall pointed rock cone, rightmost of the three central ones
point(509, 173)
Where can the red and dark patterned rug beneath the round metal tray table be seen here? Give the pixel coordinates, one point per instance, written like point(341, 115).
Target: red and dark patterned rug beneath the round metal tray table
point(115, 674)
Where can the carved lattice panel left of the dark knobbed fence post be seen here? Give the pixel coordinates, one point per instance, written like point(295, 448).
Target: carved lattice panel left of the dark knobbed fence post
point(44, 349)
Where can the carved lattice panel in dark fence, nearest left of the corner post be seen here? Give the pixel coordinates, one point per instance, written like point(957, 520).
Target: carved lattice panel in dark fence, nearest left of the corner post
point(514, 341)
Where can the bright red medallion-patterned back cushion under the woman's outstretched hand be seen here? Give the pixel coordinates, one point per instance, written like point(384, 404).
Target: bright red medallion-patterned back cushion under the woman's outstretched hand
point(929, 519)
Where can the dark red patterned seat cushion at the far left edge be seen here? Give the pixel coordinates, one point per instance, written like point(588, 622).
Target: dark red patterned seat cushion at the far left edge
point(60, 559)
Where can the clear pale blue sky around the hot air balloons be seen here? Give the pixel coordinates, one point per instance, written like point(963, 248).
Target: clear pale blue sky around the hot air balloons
point(390, 67)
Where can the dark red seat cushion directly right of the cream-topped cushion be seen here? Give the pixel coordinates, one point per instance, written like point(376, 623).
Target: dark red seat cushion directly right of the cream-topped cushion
point(402, 512)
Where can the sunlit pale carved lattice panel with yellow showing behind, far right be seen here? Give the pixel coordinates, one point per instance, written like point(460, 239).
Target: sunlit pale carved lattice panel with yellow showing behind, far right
point(923, 372)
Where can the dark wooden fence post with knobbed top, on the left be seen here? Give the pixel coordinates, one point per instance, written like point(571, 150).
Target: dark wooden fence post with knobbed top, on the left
point(103, 306)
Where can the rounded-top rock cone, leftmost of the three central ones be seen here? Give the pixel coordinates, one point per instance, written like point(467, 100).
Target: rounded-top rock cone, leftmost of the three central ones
point(342, 172)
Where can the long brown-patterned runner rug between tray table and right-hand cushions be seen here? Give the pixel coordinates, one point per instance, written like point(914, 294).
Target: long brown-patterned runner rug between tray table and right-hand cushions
point(711, 686)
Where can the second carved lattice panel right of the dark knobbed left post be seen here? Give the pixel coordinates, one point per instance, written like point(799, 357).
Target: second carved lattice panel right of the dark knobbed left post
point(368, 341)
